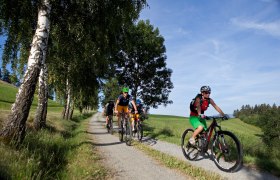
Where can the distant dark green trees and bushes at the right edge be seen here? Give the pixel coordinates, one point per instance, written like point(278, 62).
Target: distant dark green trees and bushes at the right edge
point(266, 117)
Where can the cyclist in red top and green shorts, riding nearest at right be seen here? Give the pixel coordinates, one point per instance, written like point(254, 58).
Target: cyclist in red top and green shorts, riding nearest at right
point(197, 117)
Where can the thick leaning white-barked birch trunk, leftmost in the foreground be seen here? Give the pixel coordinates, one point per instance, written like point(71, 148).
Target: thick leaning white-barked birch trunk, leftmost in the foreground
point(14, 128)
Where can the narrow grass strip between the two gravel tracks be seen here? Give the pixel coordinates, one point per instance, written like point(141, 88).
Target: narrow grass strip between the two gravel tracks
point(173, 163)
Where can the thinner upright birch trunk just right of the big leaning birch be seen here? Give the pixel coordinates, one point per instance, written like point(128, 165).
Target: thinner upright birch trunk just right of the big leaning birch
point(41, 113)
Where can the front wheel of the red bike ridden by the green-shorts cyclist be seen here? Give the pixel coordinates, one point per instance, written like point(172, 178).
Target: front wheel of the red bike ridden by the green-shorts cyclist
point(227, 151)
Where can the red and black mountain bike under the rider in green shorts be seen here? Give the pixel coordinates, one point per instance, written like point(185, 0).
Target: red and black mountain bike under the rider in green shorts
point(225, 148)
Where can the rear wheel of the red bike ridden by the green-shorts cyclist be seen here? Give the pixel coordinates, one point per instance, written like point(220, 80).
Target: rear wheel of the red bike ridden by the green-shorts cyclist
point(191, 152)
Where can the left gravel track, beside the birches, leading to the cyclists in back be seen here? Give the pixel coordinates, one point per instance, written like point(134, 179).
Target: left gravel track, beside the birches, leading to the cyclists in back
point(126, 162)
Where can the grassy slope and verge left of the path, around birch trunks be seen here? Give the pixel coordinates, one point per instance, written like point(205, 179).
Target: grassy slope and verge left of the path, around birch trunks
point(60, 151)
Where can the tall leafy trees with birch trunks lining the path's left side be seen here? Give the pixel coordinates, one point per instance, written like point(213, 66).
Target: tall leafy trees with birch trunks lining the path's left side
point(76, 48)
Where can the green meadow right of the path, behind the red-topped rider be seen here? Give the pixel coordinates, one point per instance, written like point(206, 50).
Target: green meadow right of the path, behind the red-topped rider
point(256, 154)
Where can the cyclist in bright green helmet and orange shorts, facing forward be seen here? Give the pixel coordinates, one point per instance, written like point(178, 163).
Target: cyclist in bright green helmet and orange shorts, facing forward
point(122, 103)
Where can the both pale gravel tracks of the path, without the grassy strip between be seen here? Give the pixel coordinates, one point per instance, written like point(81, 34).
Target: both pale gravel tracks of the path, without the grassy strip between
point(129, 163)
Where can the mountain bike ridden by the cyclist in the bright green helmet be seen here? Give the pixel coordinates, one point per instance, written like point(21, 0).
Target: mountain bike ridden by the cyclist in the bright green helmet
point(125, 132)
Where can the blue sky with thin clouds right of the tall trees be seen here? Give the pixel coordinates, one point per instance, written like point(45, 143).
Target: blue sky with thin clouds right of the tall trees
point(233, 46)
